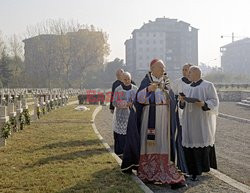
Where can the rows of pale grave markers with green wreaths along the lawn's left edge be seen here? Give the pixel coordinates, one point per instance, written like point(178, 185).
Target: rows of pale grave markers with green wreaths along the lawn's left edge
point(15, 111)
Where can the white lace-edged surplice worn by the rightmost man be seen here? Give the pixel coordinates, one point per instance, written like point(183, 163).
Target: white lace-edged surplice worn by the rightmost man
point(198, 126)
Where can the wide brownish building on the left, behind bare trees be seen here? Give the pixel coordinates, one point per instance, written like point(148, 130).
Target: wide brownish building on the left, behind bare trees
point(57, 59)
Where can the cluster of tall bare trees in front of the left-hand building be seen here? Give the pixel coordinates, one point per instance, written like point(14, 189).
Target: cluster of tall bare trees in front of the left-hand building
point(61, 51)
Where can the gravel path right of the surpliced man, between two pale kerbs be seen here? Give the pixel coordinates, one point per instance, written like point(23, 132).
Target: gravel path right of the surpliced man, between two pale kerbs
point(233, 149)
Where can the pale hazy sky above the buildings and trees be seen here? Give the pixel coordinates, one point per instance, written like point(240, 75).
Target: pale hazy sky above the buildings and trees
point(119, 18)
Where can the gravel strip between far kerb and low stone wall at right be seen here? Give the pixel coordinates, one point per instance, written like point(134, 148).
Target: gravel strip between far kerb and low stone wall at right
point(231, 108)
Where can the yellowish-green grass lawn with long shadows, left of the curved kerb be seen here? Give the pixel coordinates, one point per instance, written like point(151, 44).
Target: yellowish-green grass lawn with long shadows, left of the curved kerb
point(61, 157)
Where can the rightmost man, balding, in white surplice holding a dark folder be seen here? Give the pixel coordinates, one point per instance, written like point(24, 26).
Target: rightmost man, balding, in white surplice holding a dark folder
point(199, 124)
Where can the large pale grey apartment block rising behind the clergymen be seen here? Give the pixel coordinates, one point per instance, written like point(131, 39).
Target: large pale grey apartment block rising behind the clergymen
point(173, 41)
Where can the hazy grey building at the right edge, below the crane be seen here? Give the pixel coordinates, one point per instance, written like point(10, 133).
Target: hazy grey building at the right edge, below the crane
point(235, 57)
